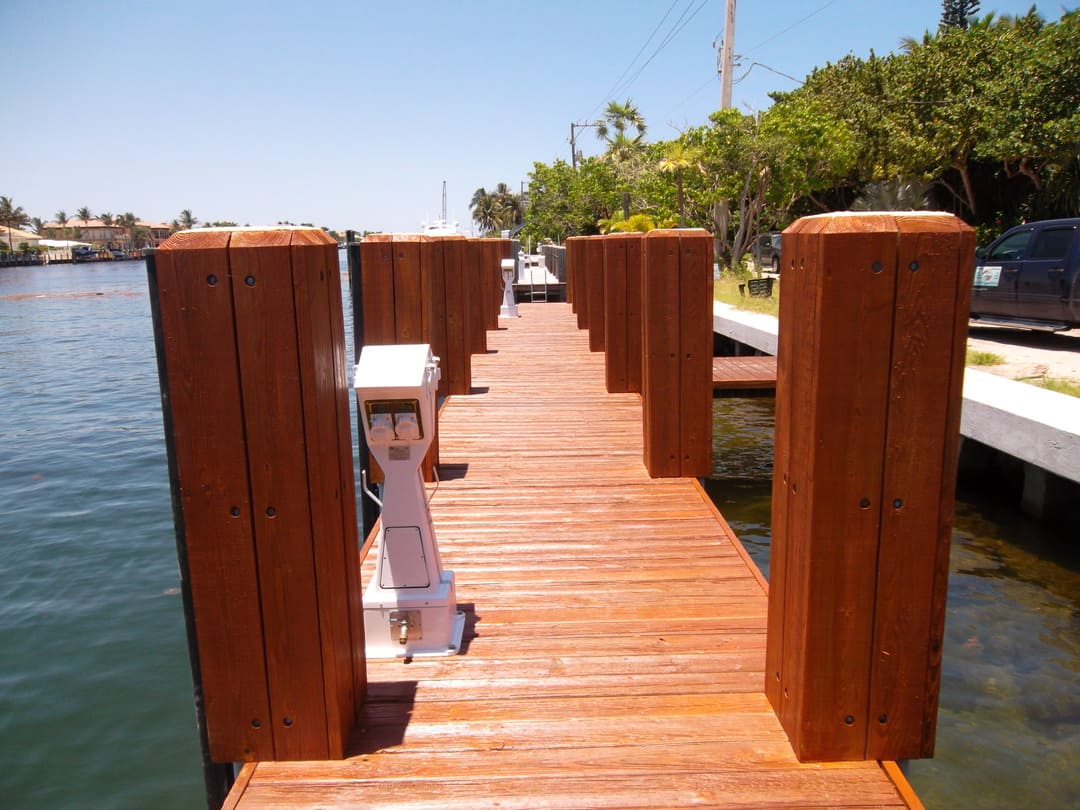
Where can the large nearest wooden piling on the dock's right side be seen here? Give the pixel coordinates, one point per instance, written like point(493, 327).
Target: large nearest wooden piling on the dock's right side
point(874, 314)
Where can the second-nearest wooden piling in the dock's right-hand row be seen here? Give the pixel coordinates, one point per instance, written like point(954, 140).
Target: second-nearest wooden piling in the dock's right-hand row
point(678, 353)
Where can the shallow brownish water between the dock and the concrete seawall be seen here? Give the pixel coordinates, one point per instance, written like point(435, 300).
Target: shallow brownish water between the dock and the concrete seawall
point(1009, 718)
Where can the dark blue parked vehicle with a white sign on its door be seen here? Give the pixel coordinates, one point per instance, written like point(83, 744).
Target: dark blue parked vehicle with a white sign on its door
point(1031, 277)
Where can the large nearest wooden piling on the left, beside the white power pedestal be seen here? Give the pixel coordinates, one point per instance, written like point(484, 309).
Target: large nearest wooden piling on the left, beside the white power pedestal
point(252, 352)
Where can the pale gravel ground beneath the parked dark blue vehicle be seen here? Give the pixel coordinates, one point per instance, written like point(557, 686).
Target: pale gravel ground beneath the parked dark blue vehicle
point(1029, 354)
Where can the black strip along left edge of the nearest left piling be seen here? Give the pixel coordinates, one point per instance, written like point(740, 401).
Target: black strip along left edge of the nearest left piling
point(218, 777)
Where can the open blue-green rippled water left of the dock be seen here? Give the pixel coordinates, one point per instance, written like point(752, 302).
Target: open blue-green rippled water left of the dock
point(96, 691)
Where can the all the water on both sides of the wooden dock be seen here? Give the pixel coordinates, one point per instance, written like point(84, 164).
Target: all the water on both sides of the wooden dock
point(96, 693)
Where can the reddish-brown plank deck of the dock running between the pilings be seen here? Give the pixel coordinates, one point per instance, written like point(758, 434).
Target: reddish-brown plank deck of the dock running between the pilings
point(617, 630)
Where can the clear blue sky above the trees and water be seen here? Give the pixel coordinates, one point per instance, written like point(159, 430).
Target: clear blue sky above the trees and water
point(350, 115)
